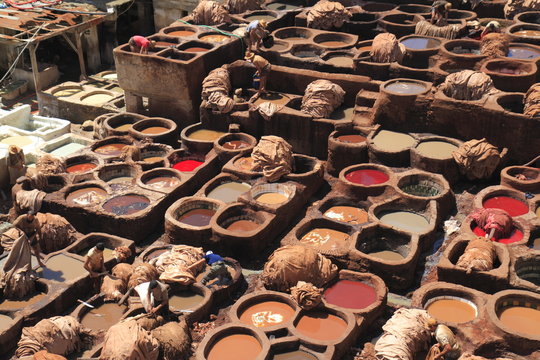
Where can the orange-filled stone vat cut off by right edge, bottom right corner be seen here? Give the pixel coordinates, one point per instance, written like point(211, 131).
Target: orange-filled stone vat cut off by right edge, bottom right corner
point(518, 313)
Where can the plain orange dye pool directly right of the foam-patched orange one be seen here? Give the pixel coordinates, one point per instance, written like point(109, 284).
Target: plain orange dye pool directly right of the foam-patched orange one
point(319, 325)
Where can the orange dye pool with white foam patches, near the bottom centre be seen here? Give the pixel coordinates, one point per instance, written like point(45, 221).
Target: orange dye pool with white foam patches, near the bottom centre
point(267, 313)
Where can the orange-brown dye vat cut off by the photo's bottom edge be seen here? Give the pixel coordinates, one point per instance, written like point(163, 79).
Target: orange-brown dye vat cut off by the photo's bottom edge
point(237, 347)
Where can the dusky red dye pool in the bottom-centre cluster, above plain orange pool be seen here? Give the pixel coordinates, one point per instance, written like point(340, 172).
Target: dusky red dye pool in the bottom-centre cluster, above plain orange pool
point(350, 294)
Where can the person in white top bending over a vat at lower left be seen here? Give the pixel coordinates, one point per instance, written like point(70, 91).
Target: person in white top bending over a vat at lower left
point(154, 297)
